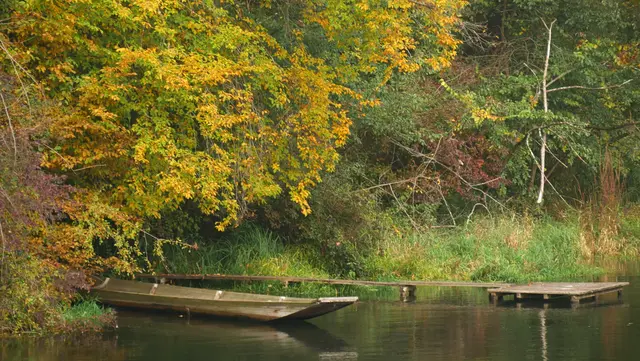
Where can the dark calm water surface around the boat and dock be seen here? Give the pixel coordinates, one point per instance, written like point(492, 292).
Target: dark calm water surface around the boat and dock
point(444, 324)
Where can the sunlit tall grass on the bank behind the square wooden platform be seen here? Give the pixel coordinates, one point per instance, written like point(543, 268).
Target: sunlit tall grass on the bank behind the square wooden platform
point(506, 250)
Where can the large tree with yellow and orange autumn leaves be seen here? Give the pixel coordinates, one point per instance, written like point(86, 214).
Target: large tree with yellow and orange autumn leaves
point(166, 102)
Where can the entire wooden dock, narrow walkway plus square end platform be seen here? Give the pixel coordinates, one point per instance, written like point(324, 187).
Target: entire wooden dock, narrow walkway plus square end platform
point(497, 290)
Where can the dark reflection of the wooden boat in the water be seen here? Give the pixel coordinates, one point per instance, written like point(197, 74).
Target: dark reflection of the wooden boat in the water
point(229, 338)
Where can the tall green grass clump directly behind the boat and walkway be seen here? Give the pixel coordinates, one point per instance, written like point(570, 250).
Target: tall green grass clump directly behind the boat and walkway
point(254, 251)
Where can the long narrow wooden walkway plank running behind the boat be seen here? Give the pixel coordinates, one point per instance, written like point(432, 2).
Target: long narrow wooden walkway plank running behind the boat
point(220, 277)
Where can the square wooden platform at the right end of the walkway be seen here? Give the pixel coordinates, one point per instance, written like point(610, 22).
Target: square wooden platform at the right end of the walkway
point(576, 292)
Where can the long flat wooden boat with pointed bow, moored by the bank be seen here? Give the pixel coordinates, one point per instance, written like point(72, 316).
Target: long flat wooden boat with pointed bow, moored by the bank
point(212, 302)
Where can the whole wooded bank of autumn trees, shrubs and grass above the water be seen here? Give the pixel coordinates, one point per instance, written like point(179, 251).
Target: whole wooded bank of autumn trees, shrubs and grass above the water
point(489, 140)
